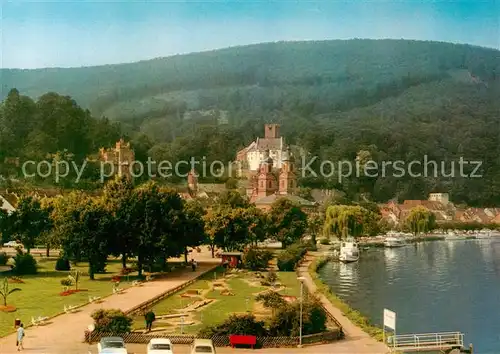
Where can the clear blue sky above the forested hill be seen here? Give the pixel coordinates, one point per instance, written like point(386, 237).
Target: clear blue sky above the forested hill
point(36, 34)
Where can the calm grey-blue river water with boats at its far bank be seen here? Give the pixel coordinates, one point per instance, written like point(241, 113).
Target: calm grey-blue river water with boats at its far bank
point(439, 286)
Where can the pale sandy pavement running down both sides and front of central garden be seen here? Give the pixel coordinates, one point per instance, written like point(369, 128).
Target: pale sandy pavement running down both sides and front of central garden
point(65, 334)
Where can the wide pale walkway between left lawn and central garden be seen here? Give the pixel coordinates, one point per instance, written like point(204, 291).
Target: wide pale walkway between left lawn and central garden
point(64, 335)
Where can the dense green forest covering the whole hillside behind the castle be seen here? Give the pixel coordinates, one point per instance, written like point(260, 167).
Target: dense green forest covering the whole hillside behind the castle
point(390, 99)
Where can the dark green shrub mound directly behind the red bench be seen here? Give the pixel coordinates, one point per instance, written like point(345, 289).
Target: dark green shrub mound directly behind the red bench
point(236, 324)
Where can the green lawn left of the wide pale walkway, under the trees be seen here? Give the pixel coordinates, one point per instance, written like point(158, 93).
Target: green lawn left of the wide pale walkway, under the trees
point(39, 295)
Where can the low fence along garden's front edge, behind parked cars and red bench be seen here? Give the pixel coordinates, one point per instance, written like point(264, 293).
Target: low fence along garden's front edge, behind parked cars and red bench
point(219, 341)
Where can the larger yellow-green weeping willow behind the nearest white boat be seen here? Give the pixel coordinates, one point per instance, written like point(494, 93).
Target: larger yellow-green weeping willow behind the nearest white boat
point(344, 220)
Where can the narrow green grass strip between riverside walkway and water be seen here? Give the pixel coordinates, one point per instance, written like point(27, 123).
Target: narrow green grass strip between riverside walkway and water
point(353, 315)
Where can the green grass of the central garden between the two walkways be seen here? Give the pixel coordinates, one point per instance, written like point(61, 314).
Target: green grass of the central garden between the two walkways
point(218, 311)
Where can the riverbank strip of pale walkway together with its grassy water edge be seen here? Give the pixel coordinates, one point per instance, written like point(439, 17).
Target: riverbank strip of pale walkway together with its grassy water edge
point(356, 335)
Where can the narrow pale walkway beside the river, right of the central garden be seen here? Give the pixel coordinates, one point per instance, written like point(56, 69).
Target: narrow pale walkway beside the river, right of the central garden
point(356, 341)
